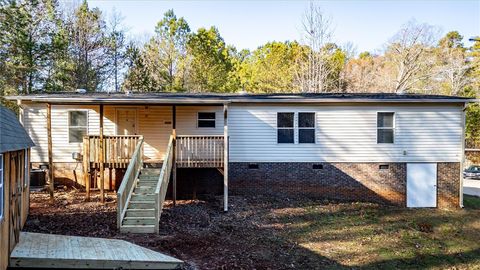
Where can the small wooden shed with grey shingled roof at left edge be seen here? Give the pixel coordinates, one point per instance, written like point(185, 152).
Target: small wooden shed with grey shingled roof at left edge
point(14, 187)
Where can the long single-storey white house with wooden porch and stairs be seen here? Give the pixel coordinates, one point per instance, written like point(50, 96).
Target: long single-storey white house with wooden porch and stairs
point(405, 150)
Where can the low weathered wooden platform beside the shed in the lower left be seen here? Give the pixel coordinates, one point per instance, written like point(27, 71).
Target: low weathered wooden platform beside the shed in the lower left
point(59, 251)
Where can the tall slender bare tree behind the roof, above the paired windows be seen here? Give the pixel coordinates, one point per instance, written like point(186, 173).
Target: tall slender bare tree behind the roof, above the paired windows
point(314, 70)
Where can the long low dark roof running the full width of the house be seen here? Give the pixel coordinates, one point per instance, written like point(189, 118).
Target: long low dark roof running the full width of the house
point(218, 98)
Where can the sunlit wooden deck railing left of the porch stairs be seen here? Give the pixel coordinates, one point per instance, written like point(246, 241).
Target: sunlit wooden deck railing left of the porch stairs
point(118, 150)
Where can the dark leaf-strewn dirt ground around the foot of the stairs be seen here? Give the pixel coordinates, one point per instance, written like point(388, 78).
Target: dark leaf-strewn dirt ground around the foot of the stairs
point(198, 232)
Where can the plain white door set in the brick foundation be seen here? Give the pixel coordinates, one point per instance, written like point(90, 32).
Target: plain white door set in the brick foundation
point(421, 184)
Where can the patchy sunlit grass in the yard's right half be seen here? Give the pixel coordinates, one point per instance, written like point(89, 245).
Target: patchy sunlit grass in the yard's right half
point(362, 235)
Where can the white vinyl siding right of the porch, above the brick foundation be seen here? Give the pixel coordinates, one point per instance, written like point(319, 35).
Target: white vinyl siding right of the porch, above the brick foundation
point(348, 134)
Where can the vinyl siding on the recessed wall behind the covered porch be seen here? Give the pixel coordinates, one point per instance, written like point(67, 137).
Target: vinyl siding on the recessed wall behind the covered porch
point(154, 123)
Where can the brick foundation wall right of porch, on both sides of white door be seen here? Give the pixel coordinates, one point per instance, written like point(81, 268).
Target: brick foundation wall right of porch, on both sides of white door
point(344, 181)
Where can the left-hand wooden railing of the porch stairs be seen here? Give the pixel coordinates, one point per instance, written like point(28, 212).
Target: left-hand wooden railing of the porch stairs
point(124, 193)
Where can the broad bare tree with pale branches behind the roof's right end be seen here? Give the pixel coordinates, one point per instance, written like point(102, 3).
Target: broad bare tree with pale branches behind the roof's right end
point(408, 51)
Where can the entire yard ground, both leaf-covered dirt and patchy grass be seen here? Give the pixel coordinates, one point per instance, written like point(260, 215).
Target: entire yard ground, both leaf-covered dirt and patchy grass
point(284, 233)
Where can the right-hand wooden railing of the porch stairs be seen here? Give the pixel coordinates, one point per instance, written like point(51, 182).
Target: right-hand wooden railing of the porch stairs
point(162, 184)
